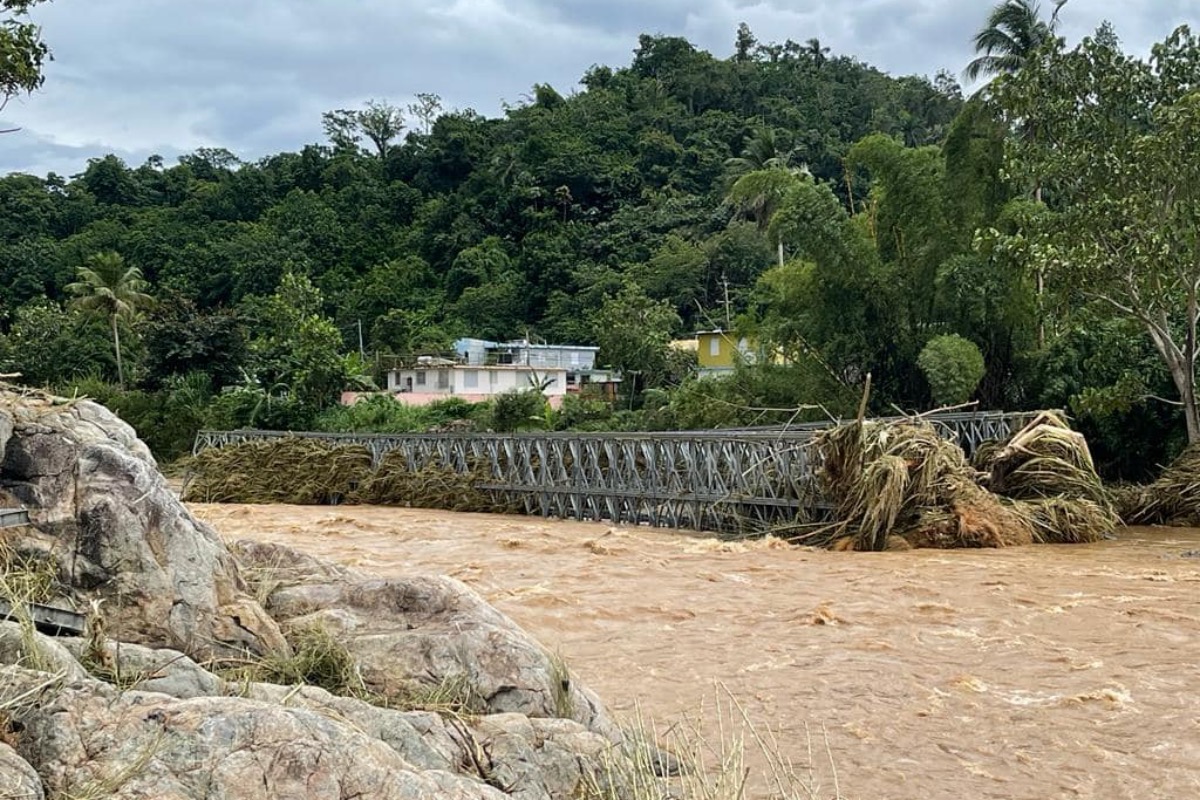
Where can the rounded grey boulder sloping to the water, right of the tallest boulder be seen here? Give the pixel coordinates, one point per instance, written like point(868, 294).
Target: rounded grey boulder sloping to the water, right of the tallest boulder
point(434, 630)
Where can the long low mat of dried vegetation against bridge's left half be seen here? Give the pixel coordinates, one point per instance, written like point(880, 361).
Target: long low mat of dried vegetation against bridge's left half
point(309, 472)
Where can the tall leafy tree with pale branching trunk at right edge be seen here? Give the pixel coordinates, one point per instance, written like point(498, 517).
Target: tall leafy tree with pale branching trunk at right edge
point(1121, 226)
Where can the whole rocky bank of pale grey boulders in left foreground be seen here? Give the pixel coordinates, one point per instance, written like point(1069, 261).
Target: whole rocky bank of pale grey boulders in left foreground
point(436, 694)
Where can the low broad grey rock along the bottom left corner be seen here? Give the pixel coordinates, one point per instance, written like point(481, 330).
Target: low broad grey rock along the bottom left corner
point(89, 739)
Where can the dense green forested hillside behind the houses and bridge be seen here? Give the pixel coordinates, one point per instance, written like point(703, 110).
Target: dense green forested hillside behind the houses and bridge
point(853, 221)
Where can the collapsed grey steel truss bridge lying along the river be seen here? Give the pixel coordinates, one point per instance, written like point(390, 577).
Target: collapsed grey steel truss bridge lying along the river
point(740, 482)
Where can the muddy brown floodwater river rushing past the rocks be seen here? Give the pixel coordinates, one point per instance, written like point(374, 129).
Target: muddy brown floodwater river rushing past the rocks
point(1037, 672)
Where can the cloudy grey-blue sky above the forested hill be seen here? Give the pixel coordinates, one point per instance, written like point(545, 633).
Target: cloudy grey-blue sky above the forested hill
point(141, 77)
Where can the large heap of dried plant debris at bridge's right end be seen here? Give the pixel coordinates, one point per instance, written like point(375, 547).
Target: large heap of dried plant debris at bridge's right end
point(899, 484)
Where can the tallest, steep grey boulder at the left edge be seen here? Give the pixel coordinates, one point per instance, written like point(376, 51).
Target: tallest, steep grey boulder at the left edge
point(104, 512)
